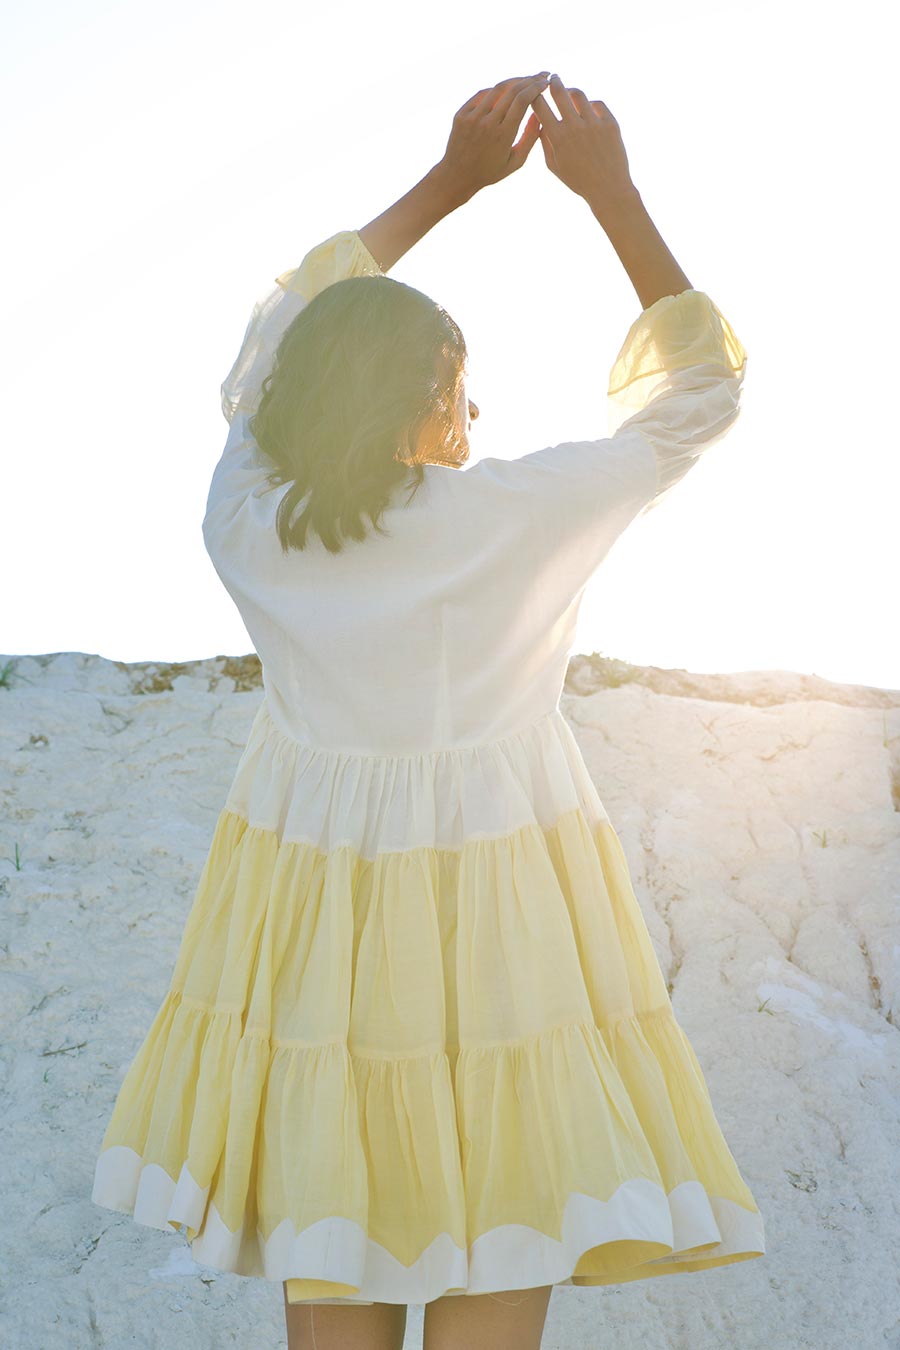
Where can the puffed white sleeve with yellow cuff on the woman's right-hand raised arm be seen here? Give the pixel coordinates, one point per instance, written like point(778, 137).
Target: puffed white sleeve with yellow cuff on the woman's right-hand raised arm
point(674, 391)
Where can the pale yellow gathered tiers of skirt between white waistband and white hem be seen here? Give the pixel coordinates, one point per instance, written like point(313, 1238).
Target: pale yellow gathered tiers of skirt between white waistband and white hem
point(501, 1039)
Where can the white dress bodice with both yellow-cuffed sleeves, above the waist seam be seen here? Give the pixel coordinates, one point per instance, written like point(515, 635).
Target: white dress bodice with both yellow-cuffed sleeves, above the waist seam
point(457, 628)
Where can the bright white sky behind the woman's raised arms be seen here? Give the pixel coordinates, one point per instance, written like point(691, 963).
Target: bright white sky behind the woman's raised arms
point(165, 163)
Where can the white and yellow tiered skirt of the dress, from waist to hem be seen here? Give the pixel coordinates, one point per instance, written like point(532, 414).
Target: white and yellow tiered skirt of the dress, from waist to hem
point(418, 1042)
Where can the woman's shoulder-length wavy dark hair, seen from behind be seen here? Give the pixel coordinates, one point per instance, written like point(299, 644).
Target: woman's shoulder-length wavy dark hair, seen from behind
point(357, 377)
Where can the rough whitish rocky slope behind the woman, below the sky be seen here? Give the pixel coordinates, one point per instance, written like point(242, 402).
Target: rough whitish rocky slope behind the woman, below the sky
point(760, 816)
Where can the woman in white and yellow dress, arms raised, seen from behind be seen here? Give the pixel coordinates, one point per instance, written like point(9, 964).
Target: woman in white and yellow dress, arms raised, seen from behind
point(418, 1047)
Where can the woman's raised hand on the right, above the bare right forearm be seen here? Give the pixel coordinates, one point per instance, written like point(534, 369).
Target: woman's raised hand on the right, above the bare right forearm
point(584, 146)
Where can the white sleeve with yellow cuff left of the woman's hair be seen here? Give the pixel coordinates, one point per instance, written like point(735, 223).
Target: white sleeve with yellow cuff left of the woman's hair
point(244, 469)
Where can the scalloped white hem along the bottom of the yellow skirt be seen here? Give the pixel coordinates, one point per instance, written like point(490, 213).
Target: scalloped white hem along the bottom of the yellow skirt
point(509, 1258)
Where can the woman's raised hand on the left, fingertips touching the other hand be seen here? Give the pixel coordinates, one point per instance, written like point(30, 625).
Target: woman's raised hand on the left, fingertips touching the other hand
point(481, 149)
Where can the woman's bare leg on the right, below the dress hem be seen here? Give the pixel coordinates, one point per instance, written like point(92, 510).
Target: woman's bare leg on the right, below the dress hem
point(507, 1321)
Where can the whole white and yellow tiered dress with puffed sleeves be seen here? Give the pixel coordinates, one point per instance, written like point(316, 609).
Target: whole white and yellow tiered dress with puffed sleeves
point(415, 1044)
